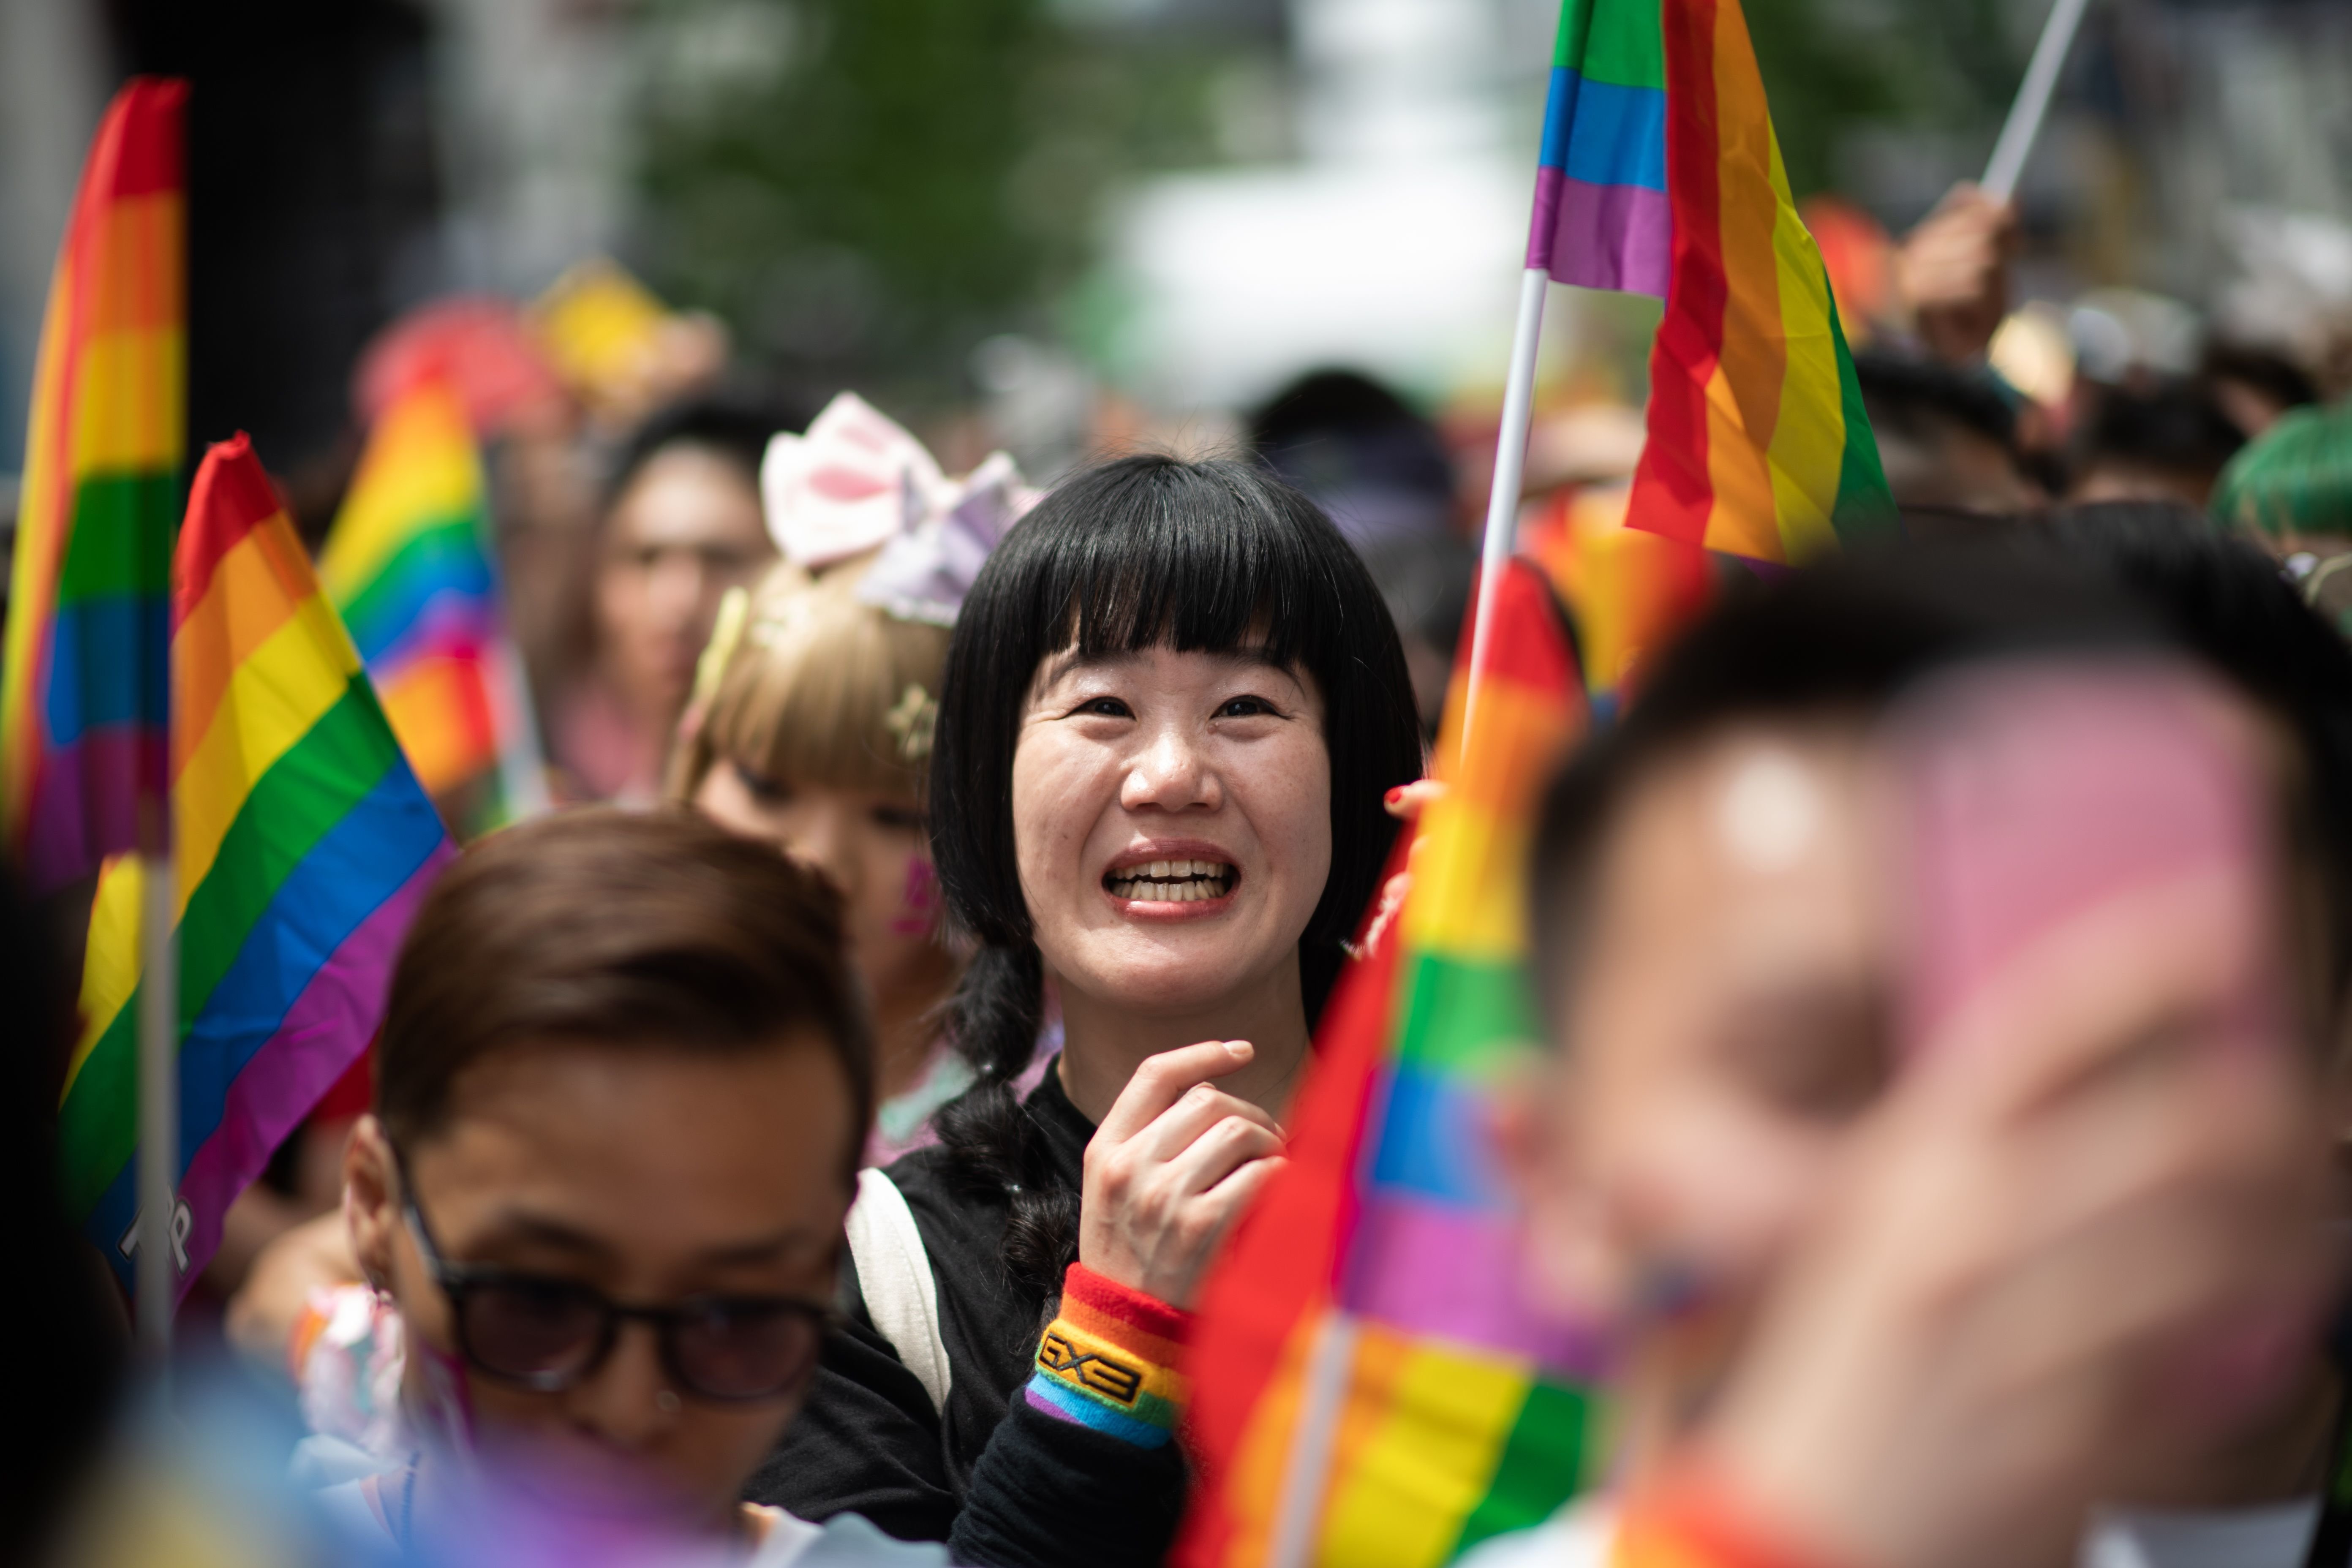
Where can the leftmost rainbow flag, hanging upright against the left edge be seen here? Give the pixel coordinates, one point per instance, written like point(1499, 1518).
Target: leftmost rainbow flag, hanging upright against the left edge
point(83, 699)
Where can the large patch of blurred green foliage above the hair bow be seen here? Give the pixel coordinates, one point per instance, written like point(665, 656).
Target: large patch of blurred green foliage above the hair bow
point(867, 189)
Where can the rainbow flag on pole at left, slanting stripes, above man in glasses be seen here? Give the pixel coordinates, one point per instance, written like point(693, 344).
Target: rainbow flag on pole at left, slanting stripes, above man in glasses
point(302, 850)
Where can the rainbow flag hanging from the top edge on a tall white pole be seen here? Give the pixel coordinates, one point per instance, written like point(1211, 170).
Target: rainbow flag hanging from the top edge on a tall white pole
point(1662, 175)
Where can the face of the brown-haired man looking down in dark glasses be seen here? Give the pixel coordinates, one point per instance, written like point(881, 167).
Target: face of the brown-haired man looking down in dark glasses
point(646, 1177)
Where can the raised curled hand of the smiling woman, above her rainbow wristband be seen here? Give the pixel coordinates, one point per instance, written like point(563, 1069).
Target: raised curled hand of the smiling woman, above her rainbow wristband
point(1170, 1170)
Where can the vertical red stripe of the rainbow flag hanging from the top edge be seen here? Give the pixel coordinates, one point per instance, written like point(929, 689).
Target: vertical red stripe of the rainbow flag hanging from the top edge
point(1673, 492)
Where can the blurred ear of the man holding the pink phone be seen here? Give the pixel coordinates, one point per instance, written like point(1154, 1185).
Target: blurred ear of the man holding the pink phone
point(1575, 1271)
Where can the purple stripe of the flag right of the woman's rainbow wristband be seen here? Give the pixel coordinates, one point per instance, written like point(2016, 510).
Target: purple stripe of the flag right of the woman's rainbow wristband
point(1457, 1275)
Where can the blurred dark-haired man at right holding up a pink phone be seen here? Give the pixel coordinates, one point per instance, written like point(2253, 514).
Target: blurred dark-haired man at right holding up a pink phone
point(1906, 1299)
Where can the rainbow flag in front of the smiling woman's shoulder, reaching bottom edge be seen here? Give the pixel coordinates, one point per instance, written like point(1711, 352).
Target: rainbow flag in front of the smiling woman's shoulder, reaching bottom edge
point(1370, 1391)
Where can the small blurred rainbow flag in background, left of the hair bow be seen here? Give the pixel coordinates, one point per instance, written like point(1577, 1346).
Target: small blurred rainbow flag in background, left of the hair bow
point(410, 570)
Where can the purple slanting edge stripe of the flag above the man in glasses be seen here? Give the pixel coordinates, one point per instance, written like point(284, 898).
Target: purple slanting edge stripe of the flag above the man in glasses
point(321, 1036)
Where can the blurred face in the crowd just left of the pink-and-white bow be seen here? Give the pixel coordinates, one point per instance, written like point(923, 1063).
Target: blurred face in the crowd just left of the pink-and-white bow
point(681, 535)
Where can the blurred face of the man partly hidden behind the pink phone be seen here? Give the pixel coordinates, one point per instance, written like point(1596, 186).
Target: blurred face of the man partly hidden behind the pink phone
point(1728, 1026)
